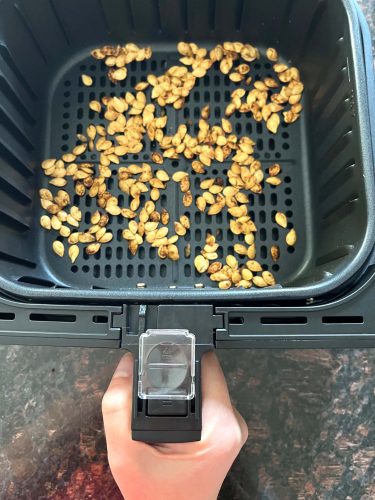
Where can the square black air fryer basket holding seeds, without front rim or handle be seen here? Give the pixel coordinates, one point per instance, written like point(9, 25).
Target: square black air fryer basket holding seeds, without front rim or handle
point(326, 157)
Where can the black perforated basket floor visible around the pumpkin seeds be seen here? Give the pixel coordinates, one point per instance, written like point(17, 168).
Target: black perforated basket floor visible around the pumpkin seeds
point(114, 266)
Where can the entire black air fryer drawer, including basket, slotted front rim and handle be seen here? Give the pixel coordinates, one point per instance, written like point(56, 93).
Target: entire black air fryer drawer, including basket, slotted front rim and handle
point(326, 286)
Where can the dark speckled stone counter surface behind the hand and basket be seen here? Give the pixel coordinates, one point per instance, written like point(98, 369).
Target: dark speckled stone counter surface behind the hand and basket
point(311, 418)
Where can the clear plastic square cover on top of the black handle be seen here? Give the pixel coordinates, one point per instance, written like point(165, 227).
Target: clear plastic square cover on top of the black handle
point(166, 365)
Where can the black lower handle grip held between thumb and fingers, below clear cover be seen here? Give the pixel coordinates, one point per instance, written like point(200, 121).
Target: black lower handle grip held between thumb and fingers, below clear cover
point(158, 421)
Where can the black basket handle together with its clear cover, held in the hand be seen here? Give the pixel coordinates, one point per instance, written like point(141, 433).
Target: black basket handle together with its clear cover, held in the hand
point(166, 388)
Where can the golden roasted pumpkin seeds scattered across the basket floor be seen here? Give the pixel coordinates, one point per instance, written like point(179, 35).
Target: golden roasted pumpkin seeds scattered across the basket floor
point(132, 118)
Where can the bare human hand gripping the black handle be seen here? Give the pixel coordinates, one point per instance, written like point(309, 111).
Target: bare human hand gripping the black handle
point(175, 470)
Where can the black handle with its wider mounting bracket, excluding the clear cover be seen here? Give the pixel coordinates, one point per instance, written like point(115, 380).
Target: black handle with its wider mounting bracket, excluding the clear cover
point(158, 421)
